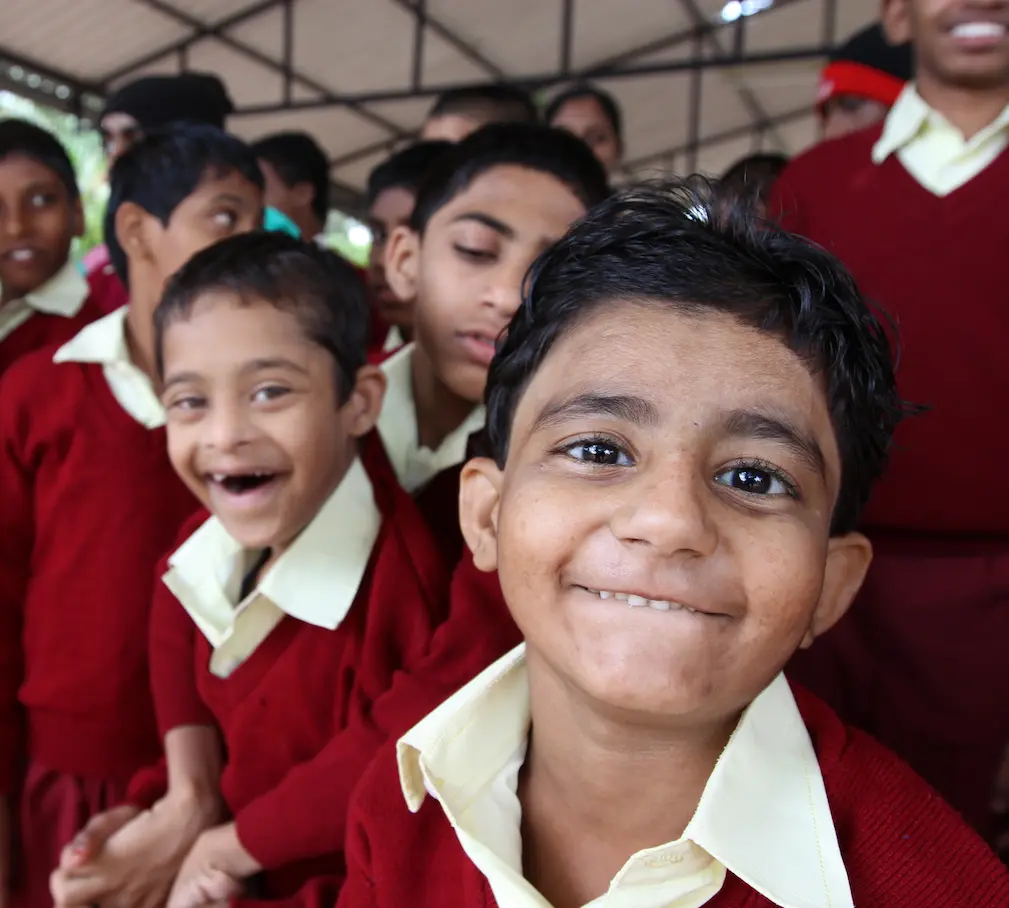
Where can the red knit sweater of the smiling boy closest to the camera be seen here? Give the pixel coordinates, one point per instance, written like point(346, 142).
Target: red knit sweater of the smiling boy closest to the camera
point(903, 846)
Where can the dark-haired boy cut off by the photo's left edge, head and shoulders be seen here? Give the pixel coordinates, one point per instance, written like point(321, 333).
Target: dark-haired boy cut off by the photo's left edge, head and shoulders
point(44, 299)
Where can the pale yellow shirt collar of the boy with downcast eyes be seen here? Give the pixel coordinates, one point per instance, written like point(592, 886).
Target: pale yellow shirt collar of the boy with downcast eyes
point(416, 466)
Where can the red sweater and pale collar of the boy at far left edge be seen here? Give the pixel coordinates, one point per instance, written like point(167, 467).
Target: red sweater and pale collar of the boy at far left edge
point(53, 314)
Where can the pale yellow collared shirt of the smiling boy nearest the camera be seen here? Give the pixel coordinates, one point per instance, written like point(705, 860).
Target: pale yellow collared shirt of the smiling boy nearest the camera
point(764, 814)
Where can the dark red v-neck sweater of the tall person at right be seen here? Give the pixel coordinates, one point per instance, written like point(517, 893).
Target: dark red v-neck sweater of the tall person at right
point(939, 266)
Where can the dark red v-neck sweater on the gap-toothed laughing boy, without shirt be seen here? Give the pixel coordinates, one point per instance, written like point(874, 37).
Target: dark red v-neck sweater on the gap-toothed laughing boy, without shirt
point(301, 719)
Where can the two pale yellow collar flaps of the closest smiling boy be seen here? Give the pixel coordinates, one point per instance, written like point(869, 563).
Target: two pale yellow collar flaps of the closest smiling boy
point(764, 814)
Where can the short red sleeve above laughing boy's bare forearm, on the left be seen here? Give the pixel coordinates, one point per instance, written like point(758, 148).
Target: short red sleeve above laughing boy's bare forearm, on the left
point(173, 675)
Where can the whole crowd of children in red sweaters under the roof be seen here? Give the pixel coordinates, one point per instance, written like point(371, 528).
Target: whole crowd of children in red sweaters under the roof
point(473, 579)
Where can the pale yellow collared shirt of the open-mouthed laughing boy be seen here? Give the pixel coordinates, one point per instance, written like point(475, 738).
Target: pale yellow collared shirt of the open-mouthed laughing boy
point(315, 581)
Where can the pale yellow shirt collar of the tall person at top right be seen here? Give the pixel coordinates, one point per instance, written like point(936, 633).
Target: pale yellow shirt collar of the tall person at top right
point(933, 151)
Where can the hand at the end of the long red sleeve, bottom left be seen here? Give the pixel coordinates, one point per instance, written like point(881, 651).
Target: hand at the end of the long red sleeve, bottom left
point(213, 871)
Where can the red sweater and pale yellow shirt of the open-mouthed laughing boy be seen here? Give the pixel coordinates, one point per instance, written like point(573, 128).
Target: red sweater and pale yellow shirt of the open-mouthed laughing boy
point(294, 673)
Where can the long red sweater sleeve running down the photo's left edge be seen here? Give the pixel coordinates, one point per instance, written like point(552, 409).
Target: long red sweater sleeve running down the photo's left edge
point(17, 542)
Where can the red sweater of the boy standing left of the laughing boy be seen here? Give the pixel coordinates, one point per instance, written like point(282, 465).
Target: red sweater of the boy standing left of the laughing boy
point(90, 504)
